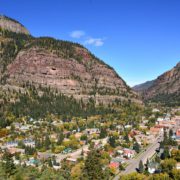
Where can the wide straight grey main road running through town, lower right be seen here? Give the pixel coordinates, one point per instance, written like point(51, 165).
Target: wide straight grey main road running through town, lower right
point(134, 163)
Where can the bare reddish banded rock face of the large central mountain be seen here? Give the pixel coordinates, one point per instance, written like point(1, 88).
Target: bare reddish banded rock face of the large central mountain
point(70, 77)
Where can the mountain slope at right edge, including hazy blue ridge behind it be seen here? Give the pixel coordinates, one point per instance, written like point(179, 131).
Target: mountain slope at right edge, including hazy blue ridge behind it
point(164, 89)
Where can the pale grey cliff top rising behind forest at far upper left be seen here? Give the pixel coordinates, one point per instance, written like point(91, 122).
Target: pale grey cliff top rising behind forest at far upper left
point(12, 25)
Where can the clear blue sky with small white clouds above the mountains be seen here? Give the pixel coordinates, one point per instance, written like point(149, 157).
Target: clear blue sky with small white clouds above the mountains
point(140, 39)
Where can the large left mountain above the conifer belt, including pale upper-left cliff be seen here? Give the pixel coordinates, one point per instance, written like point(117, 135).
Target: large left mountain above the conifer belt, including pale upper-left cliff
point(64, 66)
